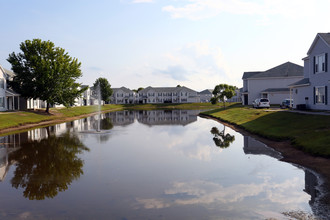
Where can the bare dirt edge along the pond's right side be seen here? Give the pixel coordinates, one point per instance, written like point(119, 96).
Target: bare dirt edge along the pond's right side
point(292, 155)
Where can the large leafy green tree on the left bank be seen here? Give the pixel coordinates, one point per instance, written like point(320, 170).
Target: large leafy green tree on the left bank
point(46, 72)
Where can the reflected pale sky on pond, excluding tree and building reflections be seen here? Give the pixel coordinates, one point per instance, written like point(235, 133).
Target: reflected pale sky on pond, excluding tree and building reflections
point(171, 172)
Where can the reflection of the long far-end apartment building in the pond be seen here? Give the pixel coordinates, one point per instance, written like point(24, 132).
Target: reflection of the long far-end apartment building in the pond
point(162, 117)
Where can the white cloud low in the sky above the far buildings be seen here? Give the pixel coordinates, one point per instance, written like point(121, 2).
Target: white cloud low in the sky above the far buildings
point(196, 65)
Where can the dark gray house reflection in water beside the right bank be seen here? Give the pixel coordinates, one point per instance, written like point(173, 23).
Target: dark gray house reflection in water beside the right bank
point(252, 146)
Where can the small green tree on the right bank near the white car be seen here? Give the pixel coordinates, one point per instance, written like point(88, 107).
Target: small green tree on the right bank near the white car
point(223, 92)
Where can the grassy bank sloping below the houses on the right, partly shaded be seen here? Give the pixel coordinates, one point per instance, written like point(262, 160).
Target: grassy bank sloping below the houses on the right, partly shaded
point(311, 133)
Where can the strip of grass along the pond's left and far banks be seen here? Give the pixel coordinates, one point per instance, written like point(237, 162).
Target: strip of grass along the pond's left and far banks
point(17, 119)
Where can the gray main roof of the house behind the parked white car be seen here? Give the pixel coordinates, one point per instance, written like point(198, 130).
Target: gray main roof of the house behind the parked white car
point(287, 69)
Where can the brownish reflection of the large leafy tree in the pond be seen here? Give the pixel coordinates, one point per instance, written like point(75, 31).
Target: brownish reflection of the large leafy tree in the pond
point(48, 166)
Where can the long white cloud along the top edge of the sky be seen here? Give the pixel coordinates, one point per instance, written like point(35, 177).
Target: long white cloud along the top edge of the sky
point(200, 9)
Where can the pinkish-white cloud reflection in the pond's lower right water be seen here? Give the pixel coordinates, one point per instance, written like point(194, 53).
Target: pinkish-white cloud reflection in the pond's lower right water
point(204, 192)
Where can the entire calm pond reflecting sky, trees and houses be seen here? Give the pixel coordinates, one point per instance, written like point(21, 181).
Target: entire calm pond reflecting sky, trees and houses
point(148, 165)
